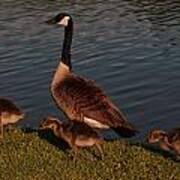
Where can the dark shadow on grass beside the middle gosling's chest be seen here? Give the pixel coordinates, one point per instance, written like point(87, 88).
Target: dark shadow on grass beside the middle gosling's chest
point(49, 137)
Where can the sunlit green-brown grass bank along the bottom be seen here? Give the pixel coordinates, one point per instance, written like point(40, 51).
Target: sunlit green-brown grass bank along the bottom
point(28, 154)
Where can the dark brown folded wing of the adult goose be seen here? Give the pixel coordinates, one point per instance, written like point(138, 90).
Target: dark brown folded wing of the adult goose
point(91, 101)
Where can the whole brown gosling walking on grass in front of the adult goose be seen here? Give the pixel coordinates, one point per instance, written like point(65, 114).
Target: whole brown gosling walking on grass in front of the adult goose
point(76, 134)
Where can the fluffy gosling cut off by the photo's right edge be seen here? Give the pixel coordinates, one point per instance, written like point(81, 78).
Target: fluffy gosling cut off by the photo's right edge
point(168, 141)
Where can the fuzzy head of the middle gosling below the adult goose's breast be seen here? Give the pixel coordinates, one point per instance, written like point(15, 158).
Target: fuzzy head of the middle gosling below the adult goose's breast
point(50, 123)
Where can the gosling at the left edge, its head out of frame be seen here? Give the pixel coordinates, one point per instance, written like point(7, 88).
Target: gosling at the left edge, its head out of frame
point(9, 114)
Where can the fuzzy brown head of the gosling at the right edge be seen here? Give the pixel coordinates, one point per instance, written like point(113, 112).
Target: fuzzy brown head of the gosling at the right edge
point(155, 136)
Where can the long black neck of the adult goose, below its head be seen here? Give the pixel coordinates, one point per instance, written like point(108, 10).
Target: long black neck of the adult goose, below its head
point(66, 51)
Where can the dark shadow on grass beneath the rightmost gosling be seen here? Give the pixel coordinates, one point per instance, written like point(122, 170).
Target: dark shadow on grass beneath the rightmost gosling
point(155, 149)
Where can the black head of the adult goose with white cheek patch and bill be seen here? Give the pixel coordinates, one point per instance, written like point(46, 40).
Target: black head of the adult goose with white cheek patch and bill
point(61, 19)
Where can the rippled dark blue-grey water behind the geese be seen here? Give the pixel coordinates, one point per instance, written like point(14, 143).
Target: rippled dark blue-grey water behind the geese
point(131, 49)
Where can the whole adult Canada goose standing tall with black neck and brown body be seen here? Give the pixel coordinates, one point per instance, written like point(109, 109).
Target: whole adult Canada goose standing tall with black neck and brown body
point(79, 98)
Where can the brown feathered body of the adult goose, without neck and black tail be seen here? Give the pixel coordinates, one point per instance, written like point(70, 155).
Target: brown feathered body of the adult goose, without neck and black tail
point(80, 98)
